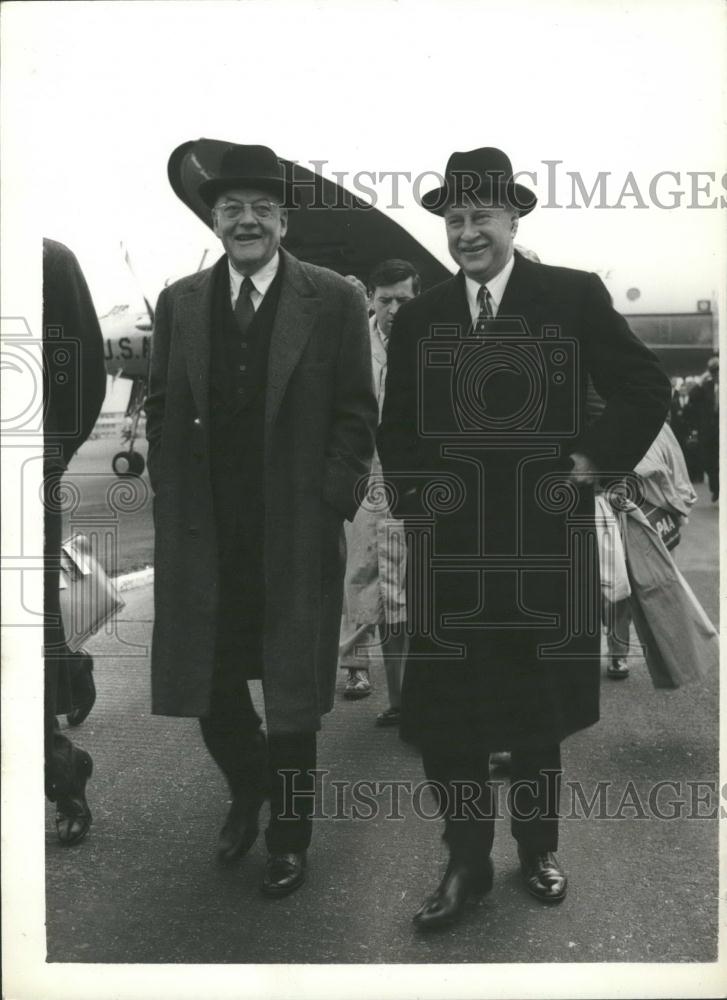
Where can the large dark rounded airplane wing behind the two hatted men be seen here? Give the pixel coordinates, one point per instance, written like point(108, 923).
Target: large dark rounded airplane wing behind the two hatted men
point(348, 236)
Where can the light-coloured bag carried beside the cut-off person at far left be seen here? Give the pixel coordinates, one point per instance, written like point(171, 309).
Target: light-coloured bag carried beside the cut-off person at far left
point(87, 597)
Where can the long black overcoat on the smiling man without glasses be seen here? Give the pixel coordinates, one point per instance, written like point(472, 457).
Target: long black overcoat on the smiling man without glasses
point(475, 437)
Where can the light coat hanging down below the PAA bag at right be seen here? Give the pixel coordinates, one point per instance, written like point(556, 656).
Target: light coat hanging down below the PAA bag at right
point(680, 643)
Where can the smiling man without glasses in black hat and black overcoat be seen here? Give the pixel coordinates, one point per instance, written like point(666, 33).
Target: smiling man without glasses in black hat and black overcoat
point(484, 443)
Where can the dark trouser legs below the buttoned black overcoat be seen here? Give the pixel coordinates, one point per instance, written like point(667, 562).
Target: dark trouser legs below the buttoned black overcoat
point(467, 802)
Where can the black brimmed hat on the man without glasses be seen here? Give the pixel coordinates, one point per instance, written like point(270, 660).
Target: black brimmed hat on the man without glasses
point(485, 174)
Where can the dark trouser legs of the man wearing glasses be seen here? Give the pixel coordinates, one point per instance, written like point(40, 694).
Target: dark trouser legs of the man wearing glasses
point(283, 769)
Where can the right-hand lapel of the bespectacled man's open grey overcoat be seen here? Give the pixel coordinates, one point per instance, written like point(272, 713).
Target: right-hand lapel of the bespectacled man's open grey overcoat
point(297, 311)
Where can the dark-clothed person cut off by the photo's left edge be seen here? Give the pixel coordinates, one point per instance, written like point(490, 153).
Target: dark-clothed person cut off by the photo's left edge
point(75, 385)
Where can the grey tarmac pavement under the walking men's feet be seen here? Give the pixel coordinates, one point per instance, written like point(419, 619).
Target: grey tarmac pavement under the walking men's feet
point(145, 888)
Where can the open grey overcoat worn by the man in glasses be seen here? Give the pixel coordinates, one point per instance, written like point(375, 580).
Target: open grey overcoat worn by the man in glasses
point(319, 427)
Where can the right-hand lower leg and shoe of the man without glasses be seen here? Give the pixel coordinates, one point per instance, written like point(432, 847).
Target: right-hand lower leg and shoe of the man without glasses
point(533, 804)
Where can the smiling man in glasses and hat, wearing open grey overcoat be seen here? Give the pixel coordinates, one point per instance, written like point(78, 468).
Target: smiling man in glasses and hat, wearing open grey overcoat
point(261, 419)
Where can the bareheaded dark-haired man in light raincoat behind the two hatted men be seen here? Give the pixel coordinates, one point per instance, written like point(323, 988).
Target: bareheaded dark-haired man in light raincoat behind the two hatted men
point(376, 563)
